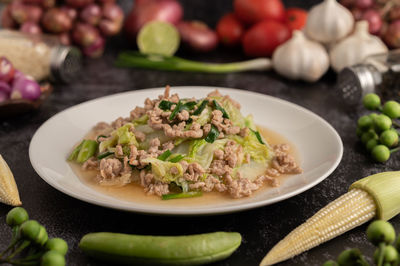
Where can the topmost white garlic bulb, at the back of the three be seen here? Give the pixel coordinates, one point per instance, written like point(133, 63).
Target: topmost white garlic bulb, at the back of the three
point(328, 22)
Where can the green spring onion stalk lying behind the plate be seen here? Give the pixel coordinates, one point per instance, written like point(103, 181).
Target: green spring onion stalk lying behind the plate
point(173, 63)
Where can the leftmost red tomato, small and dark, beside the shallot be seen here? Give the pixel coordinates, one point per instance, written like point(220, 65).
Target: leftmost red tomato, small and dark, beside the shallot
point(230, 30)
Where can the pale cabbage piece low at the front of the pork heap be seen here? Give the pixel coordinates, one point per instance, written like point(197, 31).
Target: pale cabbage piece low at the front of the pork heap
point(162, 170)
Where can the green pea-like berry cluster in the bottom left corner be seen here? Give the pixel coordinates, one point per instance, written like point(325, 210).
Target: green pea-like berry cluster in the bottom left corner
point(30, 244)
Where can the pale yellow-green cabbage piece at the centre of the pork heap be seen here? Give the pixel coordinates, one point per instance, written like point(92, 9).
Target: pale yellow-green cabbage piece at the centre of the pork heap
point(202, 152)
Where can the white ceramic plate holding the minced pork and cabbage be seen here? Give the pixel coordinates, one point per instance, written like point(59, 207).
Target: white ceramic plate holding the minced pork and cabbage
point(319, 146)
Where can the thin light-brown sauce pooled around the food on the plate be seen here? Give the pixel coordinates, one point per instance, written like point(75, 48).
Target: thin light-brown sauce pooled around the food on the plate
point(134, 192)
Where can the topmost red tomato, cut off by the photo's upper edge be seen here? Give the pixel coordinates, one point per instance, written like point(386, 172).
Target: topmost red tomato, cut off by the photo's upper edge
point(252, 11)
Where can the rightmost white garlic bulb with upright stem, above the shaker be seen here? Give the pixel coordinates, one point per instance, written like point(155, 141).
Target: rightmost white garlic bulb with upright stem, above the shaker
point(356, 48)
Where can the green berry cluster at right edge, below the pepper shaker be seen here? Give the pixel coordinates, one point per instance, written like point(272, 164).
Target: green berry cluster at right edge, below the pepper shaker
point(377, 131)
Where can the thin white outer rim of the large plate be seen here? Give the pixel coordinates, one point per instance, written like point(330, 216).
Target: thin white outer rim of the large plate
point(190, 212)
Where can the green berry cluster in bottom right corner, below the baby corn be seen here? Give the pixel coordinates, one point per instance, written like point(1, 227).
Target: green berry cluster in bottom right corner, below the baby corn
point(381, 234)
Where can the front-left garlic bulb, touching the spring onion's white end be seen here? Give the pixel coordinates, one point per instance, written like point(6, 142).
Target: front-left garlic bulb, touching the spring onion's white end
point(300, 58)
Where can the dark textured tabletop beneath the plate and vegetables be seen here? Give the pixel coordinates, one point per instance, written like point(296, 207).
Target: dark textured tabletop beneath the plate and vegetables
point(261, 228)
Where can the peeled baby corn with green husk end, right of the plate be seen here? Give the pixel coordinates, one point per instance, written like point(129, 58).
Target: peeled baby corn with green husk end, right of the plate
point(377, 195)
